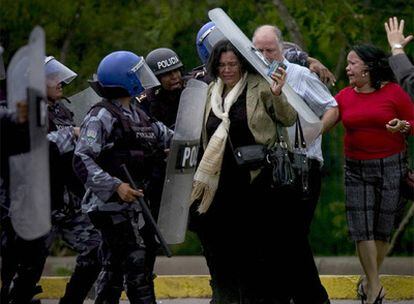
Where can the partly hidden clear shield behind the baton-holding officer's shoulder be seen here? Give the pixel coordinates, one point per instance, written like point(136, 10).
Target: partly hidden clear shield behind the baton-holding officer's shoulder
point(81, 102)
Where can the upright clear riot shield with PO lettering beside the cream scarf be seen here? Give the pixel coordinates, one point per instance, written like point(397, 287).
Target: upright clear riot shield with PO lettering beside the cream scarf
point(182, 161)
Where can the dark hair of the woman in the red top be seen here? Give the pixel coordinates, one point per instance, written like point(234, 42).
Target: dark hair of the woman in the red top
point(377, 62)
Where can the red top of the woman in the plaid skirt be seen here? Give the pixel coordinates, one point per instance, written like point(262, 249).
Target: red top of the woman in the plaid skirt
point(364, 116)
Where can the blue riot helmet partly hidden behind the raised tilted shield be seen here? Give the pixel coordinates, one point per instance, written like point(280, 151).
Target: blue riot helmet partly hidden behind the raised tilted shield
point(207, 37)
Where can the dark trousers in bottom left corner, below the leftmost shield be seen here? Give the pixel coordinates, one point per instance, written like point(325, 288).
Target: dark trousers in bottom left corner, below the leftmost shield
point(22, 265)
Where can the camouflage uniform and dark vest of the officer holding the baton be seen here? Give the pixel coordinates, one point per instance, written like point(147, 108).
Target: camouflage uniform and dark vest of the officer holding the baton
point(112, 135)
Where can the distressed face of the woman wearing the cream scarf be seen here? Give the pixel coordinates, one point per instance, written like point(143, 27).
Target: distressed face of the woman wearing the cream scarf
point(229, 69)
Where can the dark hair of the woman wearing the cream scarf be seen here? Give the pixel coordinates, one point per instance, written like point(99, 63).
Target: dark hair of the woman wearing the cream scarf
point(214, 60)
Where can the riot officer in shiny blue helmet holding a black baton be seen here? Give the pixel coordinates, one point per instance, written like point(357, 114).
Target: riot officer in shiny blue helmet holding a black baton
point(116, 132)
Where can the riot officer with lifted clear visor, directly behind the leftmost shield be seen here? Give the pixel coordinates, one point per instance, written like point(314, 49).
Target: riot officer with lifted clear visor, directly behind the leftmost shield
point(68, 221)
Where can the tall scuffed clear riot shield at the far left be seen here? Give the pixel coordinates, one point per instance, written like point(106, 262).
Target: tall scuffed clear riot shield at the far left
point(29, 171)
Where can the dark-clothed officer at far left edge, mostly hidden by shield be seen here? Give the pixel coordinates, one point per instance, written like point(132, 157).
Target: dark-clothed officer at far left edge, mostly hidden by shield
point(22, 260)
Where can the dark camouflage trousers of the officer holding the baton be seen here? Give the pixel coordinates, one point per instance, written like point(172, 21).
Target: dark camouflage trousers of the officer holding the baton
point(124, 262)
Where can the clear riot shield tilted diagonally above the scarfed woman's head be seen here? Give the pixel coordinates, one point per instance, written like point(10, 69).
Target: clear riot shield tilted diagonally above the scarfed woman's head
point(311, 124)
